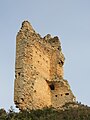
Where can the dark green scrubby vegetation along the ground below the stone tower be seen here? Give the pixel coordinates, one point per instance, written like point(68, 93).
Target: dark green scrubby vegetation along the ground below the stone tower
point(68, 113)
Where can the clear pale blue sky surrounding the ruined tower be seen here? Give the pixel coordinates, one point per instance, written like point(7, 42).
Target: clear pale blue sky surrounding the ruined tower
point(67, 19)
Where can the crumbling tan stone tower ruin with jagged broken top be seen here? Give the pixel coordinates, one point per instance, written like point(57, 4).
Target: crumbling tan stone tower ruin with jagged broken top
point(39, 79)
